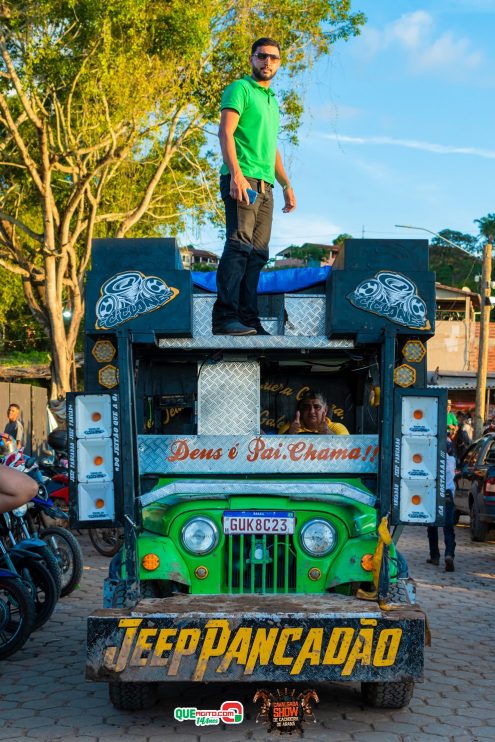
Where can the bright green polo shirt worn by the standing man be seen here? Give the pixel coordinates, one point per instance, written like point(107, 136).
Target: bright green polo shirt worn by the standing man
point(257, 130)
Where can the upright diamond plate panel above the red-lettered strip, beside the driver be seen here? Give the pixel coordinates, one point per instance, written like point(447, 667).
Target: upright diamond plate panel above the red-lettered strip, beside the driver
point(229, 398)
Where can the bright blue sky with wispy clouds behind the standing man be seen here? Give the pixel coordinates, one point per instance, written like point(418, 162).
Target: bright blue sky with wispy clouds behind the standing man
point(398, 128)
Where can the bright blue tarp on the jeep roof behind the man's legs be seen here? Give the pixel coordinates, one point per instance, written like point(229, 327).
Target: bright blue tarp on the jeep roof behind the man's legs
point(271, 282)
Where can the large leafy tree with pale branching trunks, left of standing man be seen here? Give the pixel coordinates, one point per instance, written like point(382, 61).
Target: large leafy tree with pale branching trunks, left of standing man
point(104, 109)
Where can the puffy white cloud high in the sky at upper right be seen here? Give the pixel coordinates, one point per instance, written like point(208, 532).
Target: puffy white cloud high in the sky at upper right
point(426, 50)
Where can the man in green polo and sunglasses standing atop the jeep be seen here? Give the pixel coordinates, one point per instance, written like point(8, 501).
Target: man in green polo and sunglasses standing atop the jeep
point(249, 126)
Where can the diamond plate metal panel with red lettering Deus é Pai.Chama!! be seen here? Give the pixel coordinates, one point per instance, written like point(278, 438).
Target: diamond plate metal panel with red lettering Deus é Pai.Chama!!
point(247, 454)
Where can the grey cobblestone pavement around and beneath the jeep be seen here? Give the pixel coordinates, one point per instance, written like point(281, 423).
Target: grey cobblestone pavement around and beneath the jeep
point(43, 694)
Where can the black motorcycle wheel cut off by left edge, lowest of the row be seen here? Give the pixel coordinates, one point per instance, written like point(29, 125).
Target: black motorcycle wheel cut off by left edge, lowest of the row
point(16, 616)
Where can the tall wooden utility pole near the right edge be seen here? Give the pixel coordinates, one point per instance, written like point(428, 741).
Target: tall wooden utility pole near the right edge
point(486, 277)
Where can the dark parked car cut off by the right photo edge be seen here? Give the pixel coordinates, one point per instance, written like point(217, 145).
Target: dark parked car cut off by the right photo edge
point(475, 487)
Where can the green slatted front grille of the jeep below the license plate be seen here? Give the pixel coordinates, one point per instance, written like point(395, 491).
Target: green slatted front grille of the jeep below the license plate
point(260, 564)
